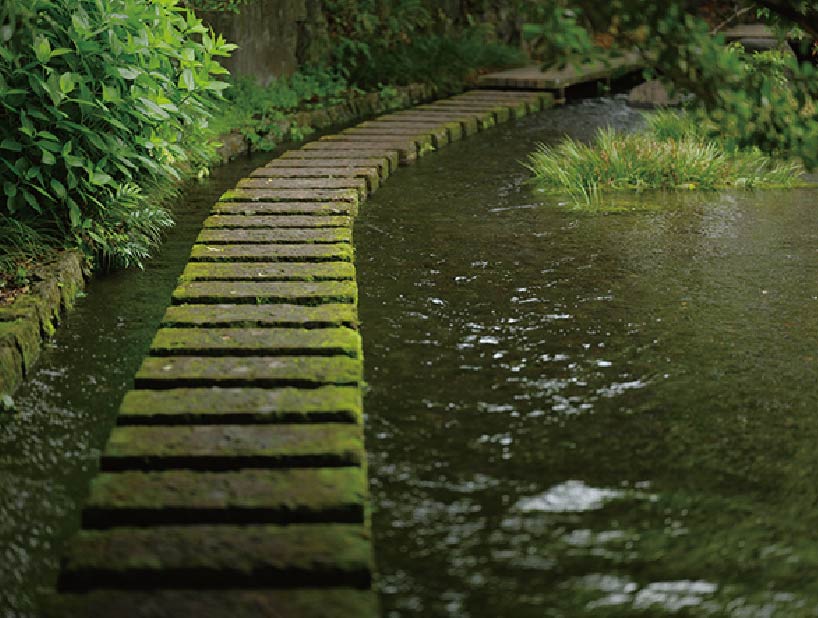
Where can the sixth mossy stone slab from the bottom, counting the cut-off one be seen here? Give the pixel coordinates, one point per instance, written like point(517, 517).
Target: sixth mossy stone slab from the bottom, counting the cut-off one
point(256, 372)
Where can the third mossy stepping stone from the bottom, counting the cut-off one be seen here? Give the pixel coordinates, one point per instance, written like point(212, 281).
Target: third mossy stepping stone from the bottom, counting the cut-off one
point(324, 495)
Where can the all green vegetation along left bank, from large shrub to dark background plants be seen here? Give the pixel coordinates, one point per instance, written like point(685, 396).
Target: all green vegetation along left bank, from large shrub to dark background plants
point(107, 106)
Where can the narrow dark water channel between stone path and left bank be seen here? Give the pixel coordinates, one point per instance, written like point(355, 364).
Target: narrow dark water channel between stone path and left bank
point(48, 450)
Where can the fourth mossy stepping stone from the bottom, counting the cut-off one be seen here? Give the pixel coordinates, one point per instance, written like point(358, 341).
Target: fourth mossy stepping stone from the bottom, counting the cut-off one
point(233, 447)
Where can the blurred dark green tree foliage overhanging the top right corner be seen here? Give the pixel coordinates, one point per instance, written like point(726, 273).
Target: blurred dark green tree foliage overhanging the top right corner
point(766, 101)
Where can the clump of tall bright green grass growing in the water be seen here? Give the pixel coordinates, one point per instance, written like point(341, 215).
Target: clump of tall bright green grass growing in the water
point(671, 153)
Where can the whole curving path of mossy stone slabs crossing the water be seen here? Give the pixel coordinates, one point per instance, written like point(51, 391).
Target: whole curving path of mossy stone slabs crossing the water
point(234, 484)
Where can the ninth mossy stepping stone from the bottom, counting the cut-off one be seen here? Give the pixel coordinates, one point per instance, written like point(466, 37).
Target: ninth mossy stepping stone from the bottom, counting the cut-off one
point(258, 292)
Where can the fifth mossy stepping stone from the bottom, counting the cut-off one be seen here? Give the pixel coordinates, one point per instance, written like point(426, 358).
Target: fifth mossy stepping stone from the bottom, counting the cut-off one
point(232, 406)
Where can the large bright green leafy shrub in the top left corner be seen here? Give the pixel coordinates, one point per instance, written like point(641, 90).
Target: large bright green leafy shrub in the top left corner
point(99, 101)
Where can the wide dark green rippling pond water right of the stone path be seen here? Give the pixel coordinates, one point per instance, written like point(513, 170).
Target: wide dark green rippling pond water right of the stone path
point(588, 415)
